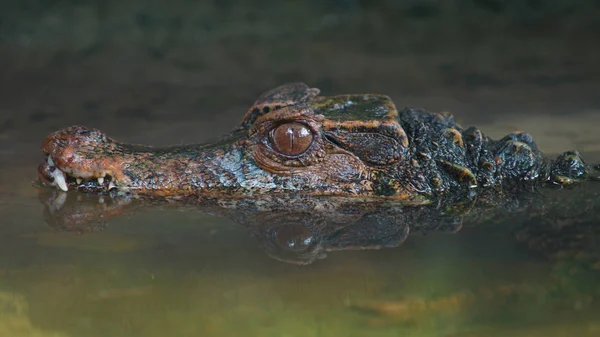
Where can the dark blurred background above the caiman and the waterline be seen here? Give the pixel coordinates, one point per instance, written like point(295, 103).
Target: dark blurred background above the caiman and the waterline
point(182, 71)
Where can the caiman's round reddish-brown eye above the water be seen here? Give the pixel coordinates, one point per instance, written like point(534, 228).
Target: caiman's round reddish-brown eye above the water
point(291, 139)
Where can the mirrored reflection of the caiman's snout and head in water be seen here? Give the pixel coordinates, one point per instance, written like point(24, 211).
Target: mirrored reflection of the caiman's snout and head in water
point(297, 230)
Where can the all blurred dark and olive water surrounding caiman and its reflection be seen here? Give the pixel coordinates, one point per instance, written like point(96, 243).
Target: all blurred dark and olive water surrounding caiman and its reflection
point(187, 74)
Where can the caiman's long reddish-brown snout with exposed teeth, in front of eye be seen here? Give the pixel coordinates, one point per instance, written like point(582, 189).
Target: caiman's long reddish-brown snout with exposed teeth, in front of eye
point(86, 159)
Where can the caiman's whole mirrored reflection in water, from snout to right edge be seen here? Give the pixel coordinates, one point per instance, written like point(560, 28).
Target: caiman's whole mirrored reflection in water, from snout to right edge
point(301, 229)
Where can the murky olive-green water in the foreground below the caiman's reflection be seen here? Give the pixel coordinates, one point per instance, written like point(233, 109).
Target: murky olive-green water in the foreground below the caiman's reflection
point(182, 273)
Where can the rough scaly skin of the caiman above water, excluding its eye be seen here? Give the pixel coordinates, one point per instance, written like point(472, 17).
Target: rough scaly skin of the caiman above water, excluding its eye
point(361, 147)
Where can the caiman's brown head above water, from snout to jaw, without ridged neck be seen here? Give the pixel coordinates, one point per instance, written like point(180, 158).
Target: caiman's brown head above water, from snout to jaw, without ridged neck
point(291, 141)
